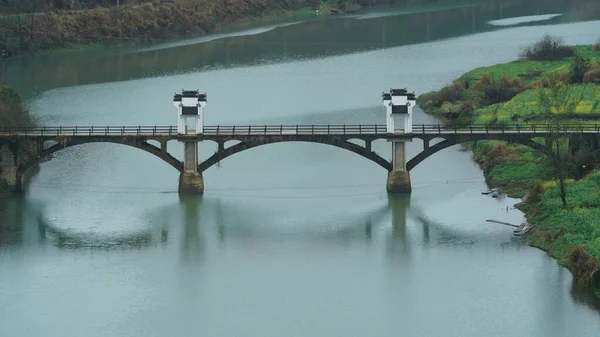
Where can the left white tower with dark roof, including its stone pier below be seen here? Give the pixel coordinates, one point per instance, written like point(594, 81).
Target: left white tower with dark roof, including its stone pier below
point(190, 112)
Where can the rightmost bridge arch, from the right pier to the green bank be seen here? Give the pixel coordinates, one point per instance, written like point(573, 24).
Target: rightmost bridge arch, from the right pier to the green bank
point(451, 141)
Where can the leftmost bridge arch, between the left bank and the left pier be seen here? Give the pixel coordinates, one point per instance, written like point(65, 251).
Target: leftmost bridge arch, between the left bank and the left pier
point(62, 144)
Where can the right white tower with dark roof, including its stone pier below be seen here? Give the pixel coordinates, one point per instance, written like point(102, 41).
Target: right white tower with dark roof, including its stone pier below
point(399, 104)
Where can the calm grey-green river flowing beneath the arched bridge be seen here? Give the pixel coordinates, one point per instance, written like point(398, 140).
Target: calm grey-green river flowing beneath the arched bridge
point(289, 239)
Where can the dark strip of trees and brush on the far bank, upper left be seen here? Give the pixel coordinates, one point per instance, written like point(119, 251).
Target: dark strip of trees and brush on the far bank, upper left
point(31, 25)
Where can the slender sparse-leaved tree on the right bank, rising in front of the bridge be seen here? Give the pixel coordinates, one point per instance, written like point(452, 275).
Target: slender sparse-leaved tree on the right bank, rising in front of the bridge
point(554, 101)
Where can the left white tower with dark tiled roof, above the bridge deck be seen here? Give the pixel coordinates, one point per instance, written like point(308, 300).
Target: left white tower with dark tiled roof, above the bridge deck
point(190, 111)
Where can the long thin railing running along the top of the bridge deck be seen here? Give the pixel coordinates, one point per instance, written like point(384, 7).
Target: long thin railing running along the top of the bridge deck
point(258, 130)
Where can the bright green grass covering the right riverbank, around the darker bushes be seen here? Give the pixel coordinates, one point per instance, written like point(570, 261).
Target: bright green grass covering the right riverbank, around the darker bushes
point(516, 168)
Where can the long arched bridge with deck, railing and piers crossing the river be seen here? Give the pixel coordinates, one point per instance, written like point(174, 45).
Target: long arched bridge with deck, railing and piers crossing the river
point(23, 148)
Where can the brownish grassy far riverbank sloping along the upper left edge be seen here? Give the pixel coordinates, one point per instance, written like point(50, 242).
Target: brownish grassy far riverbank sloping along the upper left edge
point(149, 21)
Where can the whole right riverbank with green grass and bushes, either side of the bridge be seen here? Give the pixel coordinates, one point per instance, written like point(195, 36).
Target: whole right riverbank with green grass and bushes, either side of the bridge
point(562, 90)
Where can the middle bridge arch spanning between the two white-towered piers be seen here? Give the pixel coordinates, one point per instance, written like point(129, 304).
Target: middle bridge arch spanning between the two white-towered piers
point(365, 152)
